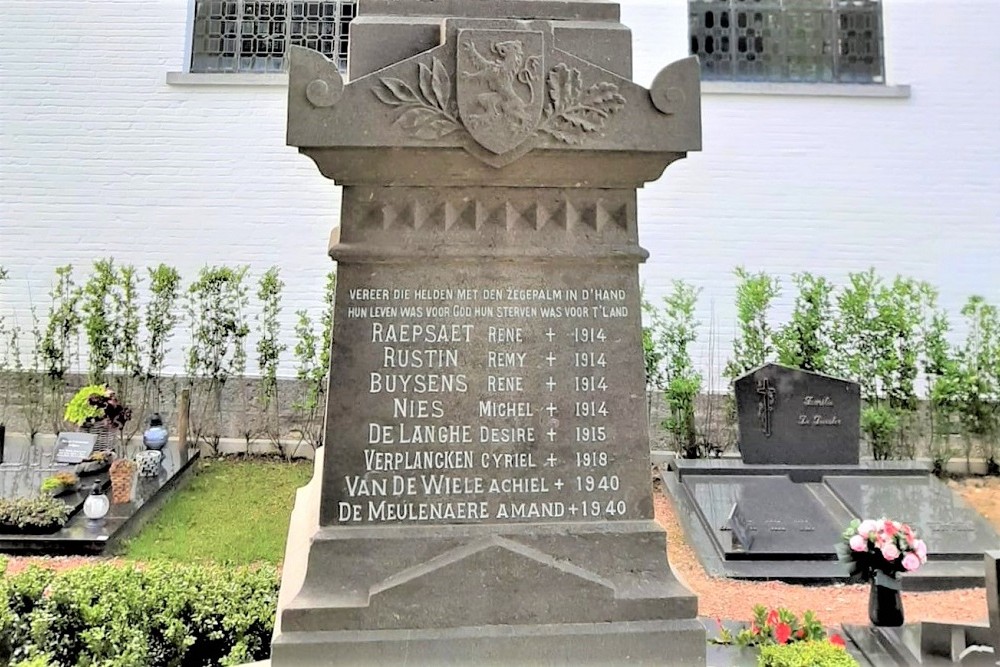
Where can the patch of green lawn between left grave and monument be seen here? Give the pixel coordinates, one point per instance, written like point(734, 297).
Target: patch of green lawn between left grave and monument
point(234, 511)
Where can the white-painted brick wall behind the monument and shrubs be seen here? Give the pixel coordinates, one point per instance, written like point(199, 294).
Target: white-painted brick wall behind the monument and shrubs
point(101, 157)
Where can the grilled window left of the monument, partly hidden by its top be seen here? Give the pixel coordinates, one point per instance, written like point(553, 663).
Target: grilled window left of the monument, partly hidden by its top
point(252, 35)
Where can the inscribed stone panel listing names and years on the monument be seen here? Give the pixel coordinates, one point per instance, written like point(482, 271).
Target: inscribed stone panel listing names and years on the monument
point(474, 403)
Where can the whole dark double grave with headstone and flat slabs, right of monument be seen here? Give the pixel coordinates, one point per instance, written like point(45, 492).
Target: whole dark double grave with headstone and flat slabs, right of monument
point(776, 512)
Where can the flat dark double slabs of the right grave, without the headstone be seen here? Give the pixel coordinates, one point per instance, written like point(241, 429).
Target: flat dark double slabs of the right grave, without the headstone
point(795, 525)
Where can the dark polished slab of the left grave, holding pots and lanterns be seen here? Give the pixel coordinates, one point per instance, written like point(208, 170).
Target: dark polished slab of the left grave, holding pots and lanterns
point(24, 468)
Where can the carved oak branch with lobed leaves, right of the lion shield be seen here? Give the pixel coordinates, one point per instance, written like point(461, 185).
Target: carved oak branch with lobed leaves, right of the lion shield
point(572, 112)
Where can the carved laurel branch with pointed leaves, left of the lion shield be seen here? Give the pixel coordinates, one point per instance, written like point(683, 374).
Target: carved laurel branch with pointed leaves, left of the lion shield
point(428, 112)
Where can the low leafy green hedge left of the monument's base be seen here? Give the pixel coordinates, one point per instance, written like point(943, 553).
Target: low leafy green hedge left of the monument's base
point(162, 615)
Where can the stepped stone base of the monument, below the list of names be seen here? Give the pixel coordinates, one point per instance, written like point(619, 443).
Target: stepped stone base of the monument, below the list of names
point(519, 594)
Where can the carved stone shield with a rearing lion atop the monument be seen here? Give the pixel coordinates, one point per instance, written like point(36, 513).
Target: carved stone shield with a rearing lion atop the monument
point(500, 86)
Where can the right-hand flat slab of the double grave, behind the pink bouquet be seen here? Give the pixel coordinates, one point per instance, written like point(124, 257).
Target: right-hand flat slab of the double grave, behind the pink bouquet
point(941, 517)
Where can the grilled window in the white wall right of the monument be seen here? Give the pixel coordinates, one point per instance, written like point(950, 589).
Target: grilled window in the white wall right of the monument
point(817, 41)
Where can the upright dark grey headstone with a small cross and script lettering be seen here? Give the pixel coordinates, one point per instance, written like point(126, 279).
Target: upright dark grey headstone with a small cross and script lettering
point(790, 416)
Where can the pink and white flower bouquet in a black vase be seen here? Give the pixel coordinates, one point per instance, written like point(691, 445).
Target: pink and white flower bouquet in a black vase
point(879, 551)
